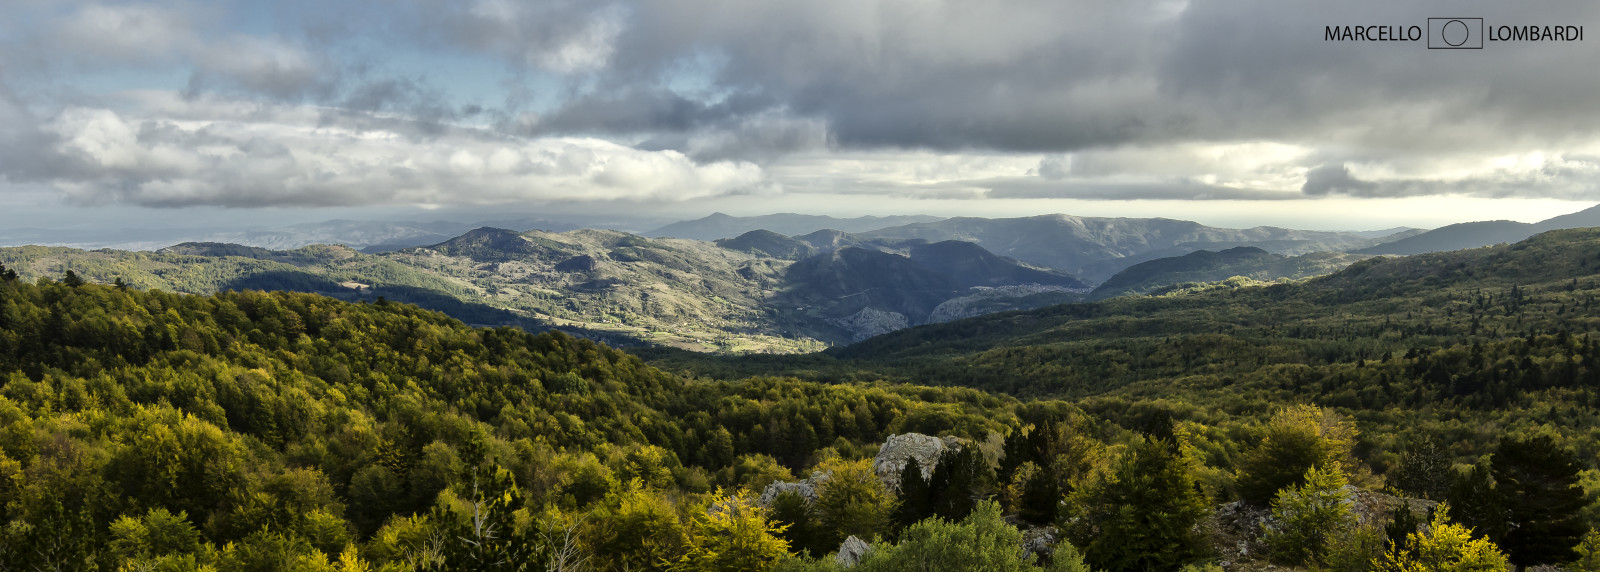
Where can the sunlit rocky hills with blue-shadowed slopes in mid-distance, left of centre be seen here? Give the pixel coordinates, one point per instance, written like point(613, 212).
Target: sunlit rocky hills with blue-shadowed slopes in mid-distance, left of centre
point(756, 293)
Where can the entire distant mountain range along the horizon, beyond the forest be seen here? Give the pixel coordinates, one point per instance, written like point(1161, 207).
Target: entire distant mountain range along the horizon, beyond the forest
point(754, 292)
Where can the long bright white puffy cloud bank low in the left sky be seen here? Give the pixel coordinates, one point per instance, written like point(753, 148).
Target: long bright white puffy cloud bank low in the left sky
point(241, 162)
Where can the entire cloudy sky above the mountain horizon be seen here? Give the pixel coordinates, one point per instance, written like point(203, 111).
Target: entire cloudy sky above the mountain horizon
point(126, 117)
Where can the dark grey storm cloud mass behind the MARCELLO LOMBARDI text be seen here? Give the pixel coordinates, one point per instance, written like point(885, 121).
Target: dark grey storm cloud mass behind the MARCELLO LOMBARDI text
point(1052, 76)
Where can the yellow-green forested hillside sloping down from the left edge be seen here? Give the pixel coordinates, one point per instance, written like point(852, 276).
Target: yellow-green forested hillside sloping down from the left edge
point(262, 432)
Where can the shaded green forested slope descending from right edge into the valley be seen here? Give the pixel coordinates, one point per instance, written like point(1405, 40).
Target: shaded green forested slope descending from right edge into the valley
point(1214, 343)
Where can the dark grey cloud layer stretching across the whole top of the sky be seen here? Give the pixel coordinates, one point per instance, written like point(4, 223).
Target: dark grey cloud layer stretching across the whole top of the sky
point(1028, 76)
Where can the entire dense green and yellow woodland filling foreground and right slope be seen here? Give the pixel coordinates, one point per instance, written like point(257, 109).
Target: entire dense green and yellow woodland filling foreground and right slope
point(1423, 415)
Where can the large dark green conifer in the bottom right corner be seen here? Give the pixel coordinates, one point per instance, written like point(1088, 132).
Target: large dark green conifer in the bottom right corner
point(1538, 483)
